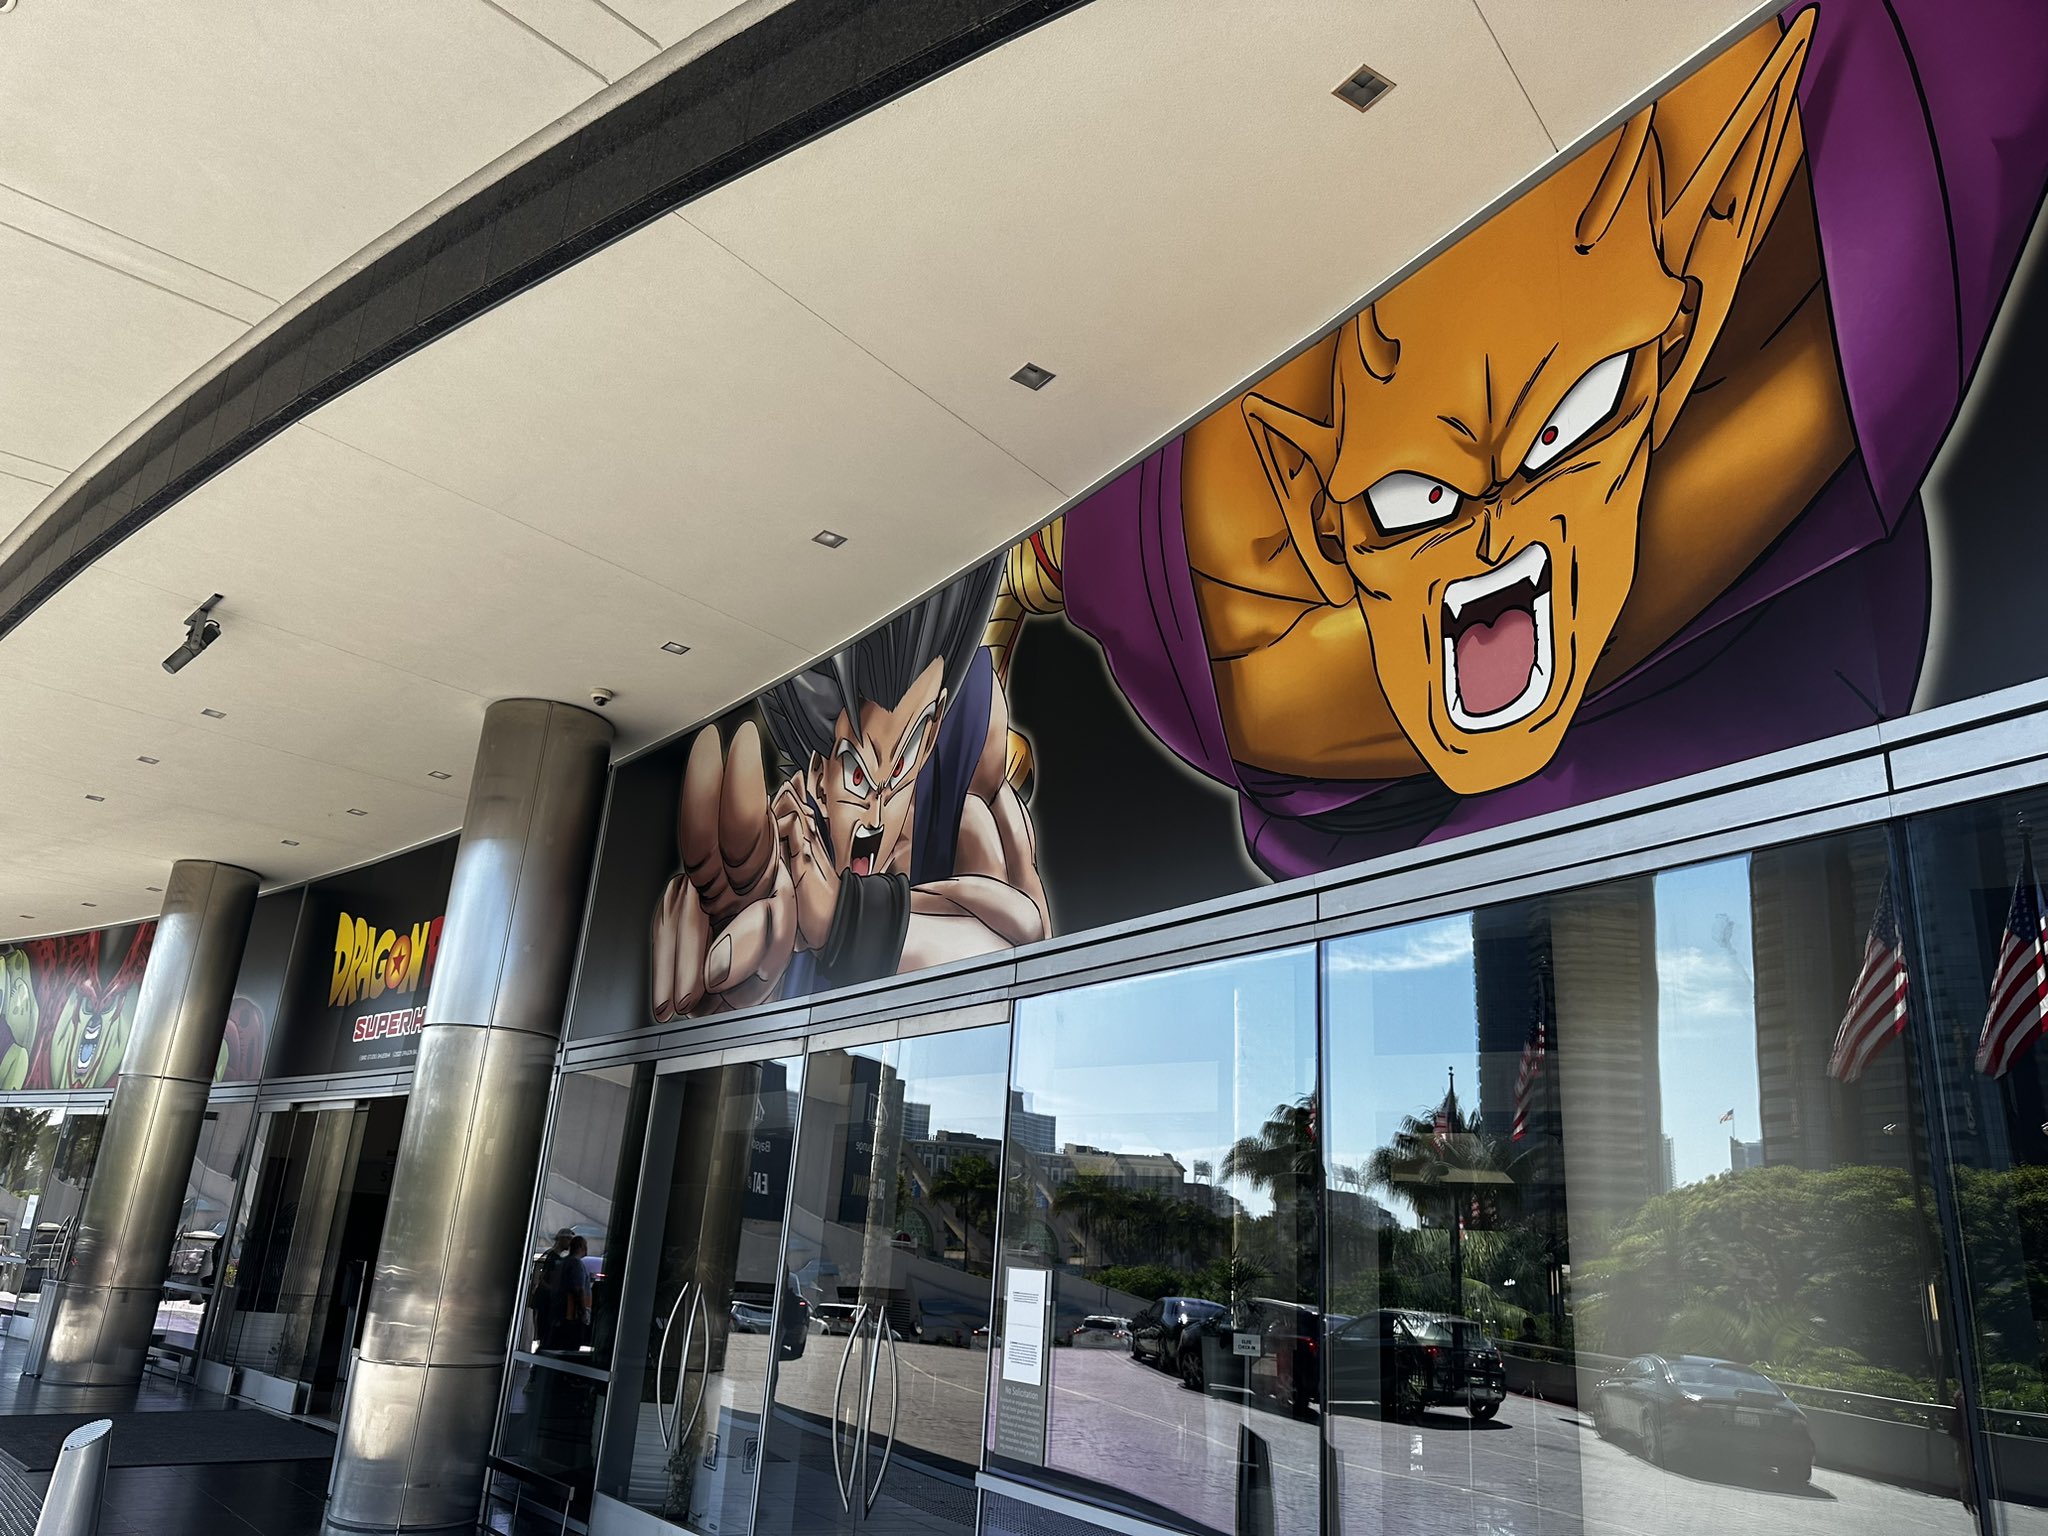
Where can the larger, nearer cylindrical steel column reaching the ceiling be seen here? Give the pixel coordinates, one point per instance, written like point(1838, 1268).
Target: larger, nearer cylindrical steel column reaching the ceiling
point(425, 1390)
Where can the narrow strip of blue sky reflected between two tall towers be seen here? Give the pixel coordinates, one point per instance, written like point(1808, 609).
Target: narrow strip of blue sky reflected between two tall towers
point(1707, 1015)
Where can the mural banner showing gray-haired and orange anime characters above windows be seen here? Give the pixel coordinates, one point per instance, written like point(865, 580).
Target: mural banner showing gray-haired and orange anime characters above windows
point(1629, 484)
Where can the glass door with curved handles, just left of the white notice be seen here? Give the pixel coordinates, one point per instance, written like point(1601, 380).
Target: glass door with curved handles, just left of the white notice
point(890, 1254)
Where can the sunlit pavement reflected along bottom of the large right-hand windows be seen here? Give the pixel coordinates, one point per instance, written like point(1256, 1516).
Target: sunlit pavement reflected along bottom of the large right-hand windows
point(1539, 1467)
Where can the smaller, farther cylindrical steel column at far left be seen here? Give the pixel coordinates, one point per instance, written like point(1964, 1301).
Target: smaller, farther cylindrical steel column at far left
point(103, 1308)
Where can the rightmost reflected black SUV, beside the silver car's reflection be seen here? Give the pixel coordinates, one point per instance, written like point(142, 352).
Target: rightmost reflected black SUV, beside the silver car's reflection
point(1412, 1361)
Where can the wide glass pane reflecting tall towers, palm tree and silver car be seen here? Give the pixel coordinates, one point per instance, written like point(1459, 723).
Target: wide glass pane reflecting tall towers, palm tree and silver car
point(1611, 1244)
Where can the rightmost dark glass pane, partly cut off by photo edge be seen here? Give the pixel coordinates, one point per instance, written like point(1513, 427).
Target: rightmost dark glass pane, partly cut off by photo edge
point(1979, 984)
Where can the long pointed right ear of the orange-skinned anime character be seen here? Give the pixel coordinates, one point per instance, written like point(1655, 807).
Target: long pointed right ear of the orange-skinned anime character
point(1719, 216)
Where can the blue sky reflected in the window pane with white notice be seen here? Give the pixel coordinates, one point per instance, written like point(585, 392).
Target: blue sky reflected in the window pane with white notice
point(1175, 1064)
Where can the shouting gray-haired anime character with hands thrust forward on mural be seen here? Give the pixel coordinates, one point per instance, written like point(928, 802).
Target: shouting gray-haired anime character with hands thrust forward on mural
point(892, 843)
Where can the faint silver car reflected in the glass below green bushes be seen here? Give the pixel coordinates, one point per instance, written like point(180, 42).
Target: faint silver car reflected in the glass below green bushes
point(1705, 1410)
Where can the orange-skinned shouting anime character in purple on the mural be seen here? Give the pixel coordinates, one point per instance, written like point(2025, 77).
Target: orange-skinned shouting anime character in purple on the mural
point(1621, 486)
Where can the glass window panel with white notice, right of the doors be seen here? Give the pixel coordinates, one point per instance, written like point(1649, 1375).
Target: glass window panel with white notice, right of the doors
point(1164, 1170)
